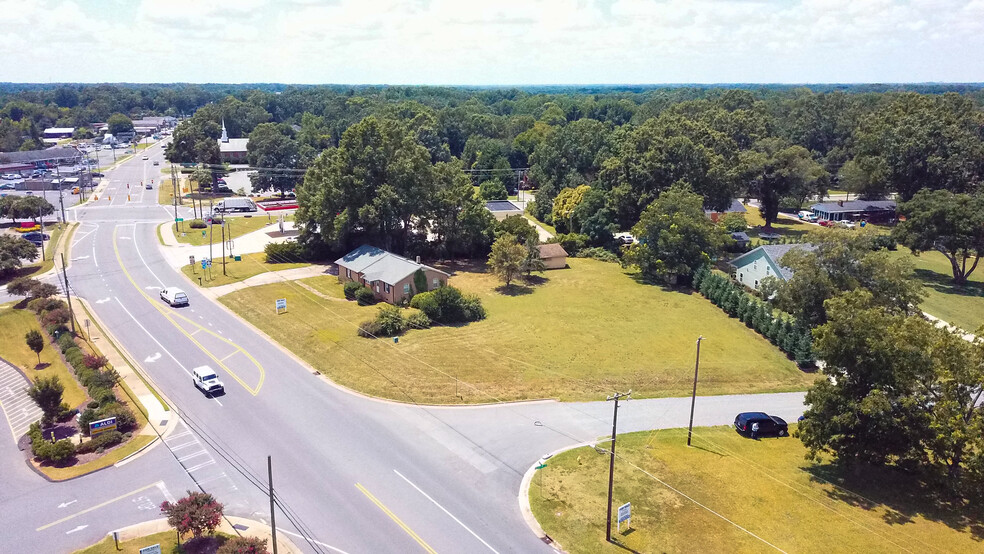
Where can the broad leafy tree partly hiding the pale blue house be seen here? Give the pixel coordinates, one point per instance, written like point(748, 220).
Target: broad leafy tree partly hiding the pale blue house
point(840, 260)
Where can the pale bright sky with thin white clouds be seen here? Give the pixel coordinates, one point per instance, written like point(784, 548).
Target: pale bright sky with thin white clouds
point(502, 42)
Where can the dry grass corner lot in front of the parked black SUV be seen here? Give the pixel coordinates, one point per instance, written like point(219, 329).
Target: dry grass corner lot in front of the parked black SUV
point(765, 486)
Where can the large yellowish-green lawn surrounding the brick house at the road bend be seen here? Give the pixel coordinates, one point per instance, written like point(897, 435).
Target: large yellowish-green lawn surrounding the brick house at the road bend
point(583, 333)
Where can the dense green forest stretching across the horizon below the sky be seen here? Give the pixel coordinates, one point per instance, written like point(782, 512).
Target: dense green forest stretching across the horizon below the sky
point(382, 158)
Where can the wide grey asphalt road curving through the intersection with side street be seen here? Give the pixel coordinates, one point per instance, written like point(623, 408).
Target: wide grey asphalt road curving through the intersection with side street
point(353, 474)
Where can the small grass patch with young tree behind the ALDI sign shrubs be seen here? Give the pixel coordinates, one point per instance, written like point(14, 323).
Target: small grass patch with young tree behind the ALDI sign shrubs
point(14, 324)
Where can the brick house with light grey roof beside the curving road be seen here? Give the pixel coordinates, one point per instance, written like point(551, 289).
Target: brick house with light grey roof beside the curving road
point(390, 277)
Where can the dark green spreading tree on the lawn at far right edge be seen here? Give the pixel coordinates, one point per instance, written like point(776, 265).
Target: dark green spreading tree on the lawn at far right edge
point(951, 224)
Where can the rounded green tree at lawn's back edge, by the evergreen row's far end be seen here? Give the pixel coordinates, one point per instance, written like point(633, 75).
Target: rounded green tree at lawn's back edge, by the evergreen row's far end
point(675, 236)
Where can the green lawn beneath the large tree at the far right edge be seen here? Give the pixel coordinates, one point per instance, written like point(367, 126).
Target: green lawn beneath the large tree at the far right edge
point(962, 306)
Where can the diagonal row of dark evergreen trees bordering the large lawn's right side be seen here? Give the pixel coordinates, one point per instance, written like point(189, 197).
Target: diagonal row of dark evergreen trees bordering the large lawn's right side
point(789, 335)
